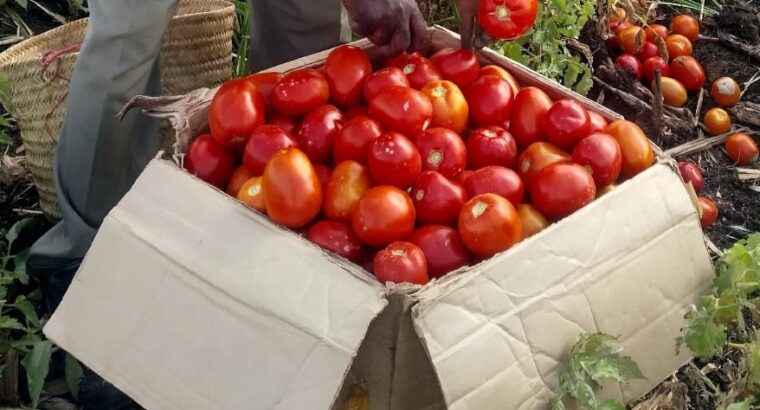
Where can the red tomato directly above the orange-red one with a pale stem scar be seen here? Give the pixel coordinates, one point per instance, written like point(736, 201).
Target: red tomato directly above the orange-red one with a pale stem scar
point(496, 180)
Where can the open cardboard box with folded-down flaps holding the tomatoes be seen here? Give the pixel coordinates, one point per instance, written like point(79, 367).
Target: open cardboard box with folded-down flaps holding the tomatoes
point(190, 300)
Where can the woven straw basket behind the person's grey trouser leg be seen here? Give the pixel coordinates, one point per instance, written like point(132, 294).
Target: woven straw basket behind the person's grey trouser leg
point(196, 52)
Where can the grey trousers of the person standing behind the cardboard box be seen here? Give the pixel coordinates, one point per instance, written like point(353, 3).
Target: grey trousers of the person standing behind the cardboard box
point(98, 157)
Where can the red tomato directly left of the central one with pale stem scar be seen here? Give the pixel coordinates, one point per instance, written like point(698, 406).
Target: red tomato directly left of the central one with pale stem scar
point(394, 160)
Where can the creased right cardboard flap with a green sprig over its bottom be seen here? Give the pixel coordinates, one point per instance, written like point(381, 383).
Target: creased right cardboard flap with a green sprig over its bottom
point(627, 265)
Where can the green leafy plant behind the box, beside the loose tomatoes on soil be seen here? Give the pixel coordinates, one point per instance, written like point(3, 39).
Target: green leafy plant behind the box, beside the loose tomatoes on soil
point(545, 48)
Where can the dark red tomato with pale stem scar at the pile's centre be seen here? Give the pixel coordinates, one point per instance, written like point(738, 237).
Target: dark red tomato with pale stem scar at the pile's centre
point(442, 150)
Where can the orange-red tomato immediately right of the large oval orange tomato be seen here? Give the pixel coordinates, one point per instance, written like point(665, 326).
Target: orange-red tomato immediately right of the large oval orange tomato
point(347, 183)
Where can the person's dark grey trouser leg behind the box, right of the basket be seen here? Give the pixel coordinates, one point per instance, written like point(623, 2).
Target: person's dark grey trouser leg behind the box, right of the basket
point(283, 30)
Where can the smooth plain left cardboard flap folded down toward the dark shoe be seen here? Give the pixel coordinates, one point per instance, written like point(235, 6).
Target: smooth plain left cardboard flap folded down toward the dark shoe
point(184, 287)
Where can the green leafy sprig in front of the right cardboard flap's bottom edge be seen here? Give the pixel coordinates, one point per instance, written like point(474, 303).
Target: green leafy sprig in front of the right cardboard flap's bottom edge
point(594, 357)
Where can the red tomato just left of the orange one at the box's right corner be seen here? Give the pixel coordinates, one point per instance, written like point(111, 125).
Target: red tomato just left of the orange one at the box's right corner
point(601, 155)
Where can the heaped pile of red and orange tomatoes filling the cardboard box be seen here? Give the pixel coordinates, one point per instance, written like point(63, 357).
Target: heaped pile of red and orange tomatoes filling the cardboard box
point(416, 169)
